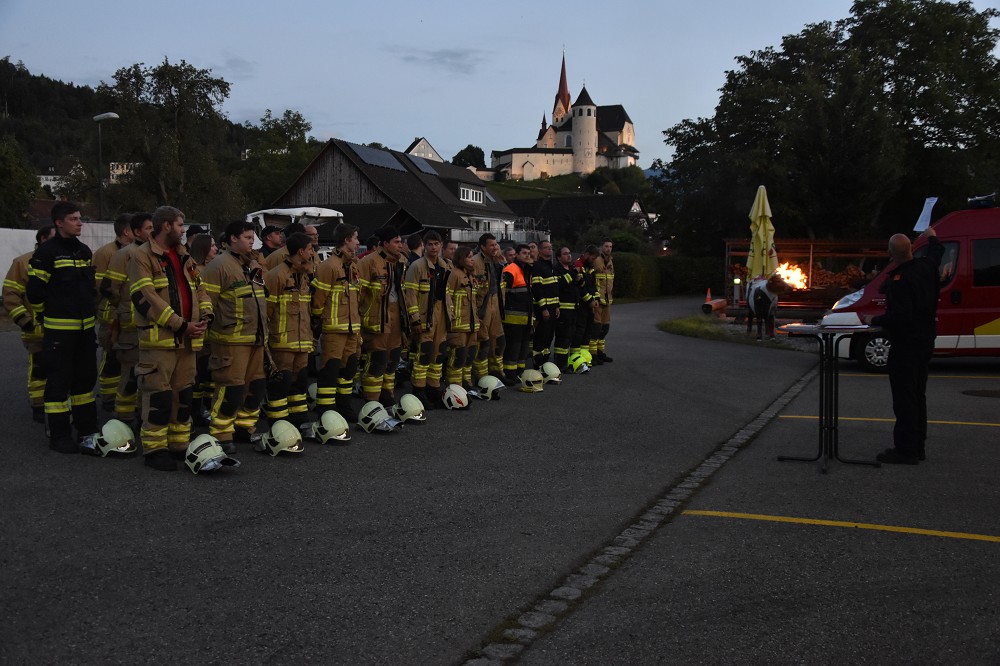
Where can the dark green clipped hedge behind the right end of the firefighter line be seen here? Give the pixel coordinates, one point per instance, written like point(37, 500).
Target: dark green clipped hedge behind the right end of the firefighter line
point(643, 276)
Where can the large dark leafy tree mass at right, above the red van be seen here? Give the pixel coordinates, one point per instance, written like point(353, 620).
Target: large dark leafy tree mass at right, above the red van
point(849, 125)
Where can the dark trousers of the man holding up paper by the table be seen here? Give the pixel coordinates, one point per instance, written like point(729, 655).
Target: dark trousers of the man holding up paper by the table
point(908, 381)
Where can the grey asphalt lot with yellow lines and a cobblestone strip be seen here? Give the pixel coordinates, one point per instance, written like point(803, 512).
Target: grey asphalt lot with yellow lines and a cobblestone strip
point(477, 536)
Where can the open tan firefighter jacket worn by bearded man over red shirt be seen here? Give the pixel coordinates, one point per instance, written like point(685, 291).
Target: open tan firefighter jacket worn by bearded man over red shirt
point(158, 294)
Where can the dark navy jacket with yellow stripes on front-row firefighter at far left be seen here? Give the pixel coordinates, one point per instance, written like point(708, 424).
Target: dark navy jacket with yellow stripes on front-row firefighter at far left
point(61, 285)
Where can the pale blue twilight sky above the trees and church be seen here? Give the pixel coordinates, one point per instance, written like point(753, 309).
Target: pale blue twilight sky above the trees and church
point(391, 70)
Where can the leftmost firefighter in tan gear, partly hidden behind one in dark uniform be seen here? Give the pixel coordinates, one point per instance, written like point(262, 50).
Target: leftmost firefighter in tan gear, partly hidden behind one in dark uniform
point(19, 310)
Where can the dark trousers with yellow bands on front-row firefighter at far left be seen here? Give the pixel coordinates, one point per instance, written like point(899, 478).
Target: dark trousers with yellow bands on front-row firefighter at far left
point(70, 359)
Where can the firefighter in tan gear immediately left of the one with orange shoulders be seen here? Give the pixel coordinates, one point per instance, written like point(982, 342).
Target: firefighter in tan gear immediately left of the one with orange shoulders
point(487, 264)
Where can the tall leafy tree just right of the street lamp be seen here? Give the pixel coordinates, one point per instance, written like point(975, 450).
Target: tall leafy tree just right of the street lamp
point(171, 123)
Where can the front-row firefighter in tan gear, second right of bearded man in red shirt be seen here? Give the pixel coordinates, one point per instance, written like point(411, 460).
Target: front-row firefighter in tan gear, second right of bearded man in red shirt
point(290, 338)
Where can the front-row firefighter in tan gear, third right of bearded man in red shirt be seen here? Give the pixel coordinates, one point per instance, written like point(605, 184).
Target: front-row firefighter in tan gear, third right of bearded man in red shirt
point(335, 314)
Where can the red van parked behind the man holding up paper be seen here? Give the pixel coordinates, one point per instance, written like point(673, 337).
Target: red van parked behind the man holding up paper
point(968, 317)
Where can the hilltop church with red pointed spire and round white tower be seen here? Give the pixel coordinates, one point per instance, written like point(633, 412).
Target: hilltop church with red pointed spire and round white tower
point(581, 138)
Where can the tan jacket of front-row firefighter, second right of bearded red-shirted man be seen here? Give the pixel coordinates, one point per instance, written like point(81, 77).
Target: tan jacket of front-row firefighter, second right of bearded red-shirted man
point(289, 307)
